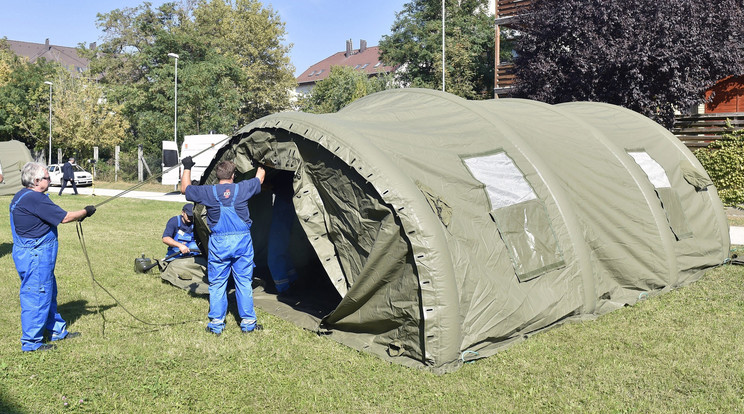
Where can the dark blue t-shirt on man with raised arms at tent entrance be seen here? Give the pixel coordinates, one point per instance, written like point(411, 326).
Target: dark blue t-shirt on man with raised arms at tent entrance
point(203, 194)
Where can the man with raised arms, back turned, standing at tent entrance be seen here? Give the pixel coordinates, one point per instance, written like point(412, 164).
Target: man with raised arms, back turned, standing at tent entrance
point(230, 244)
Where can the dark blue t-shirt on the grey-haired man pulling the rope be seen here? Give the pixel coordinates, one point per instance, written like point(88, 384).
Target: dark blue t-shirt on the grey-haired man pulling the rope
point(35, 215)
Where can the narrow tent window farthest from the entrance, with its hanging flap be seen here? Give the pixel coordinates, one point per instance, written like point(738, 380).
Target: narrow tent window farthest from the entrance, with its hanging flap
point(668, 196)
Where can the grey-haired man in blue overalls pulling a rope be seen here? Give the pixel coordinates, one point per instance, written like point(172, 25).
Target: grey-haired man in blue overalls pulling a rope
point(33, 220)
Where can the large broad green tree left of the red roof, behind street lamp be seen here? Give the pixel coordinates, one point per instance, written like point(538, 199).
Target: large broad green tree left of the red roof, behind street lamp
point(232, 66)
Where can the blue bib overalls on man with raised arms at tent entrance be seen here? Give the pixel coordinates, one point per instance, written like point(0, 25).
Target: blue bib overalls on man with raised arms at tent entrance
point(230, 248)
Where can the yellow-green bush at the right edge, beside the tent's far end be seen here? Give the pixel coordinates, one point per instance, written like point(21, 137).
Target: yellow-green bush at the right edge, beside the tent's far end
point(724, 162)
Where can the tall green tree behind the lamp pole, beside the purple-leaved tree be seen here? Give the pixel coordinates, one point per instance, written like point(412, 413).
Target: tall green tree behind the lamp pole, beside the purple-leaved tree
point(416, 42)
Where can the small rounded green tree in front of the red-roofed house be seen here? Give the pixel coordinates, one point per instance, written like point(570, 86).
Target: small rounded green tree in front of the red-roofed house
point(343, 86)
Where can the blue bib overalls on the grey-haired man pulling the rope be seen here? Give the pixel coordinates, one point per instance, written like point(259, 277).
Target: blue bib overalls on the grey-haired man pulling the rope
point(35, 260)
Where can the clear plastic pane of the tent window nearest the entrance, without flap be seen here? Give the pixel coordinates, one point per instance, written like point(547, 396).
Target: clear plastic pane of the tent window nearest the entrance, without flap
point(505, 183)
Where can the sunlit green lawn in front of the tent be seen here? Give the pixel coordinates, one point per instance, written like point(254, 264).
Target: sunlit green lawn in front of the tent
point(681, 352)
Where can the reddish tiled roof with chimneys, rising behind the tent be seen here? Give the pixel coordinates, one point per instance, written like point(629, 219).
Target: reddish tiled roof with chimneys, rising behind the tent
point(367, 61)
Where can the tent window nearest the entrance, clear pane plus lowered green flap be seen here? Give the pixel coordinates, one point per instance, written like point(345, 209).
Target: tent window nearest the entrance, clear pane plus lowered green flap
point(521, 218)
